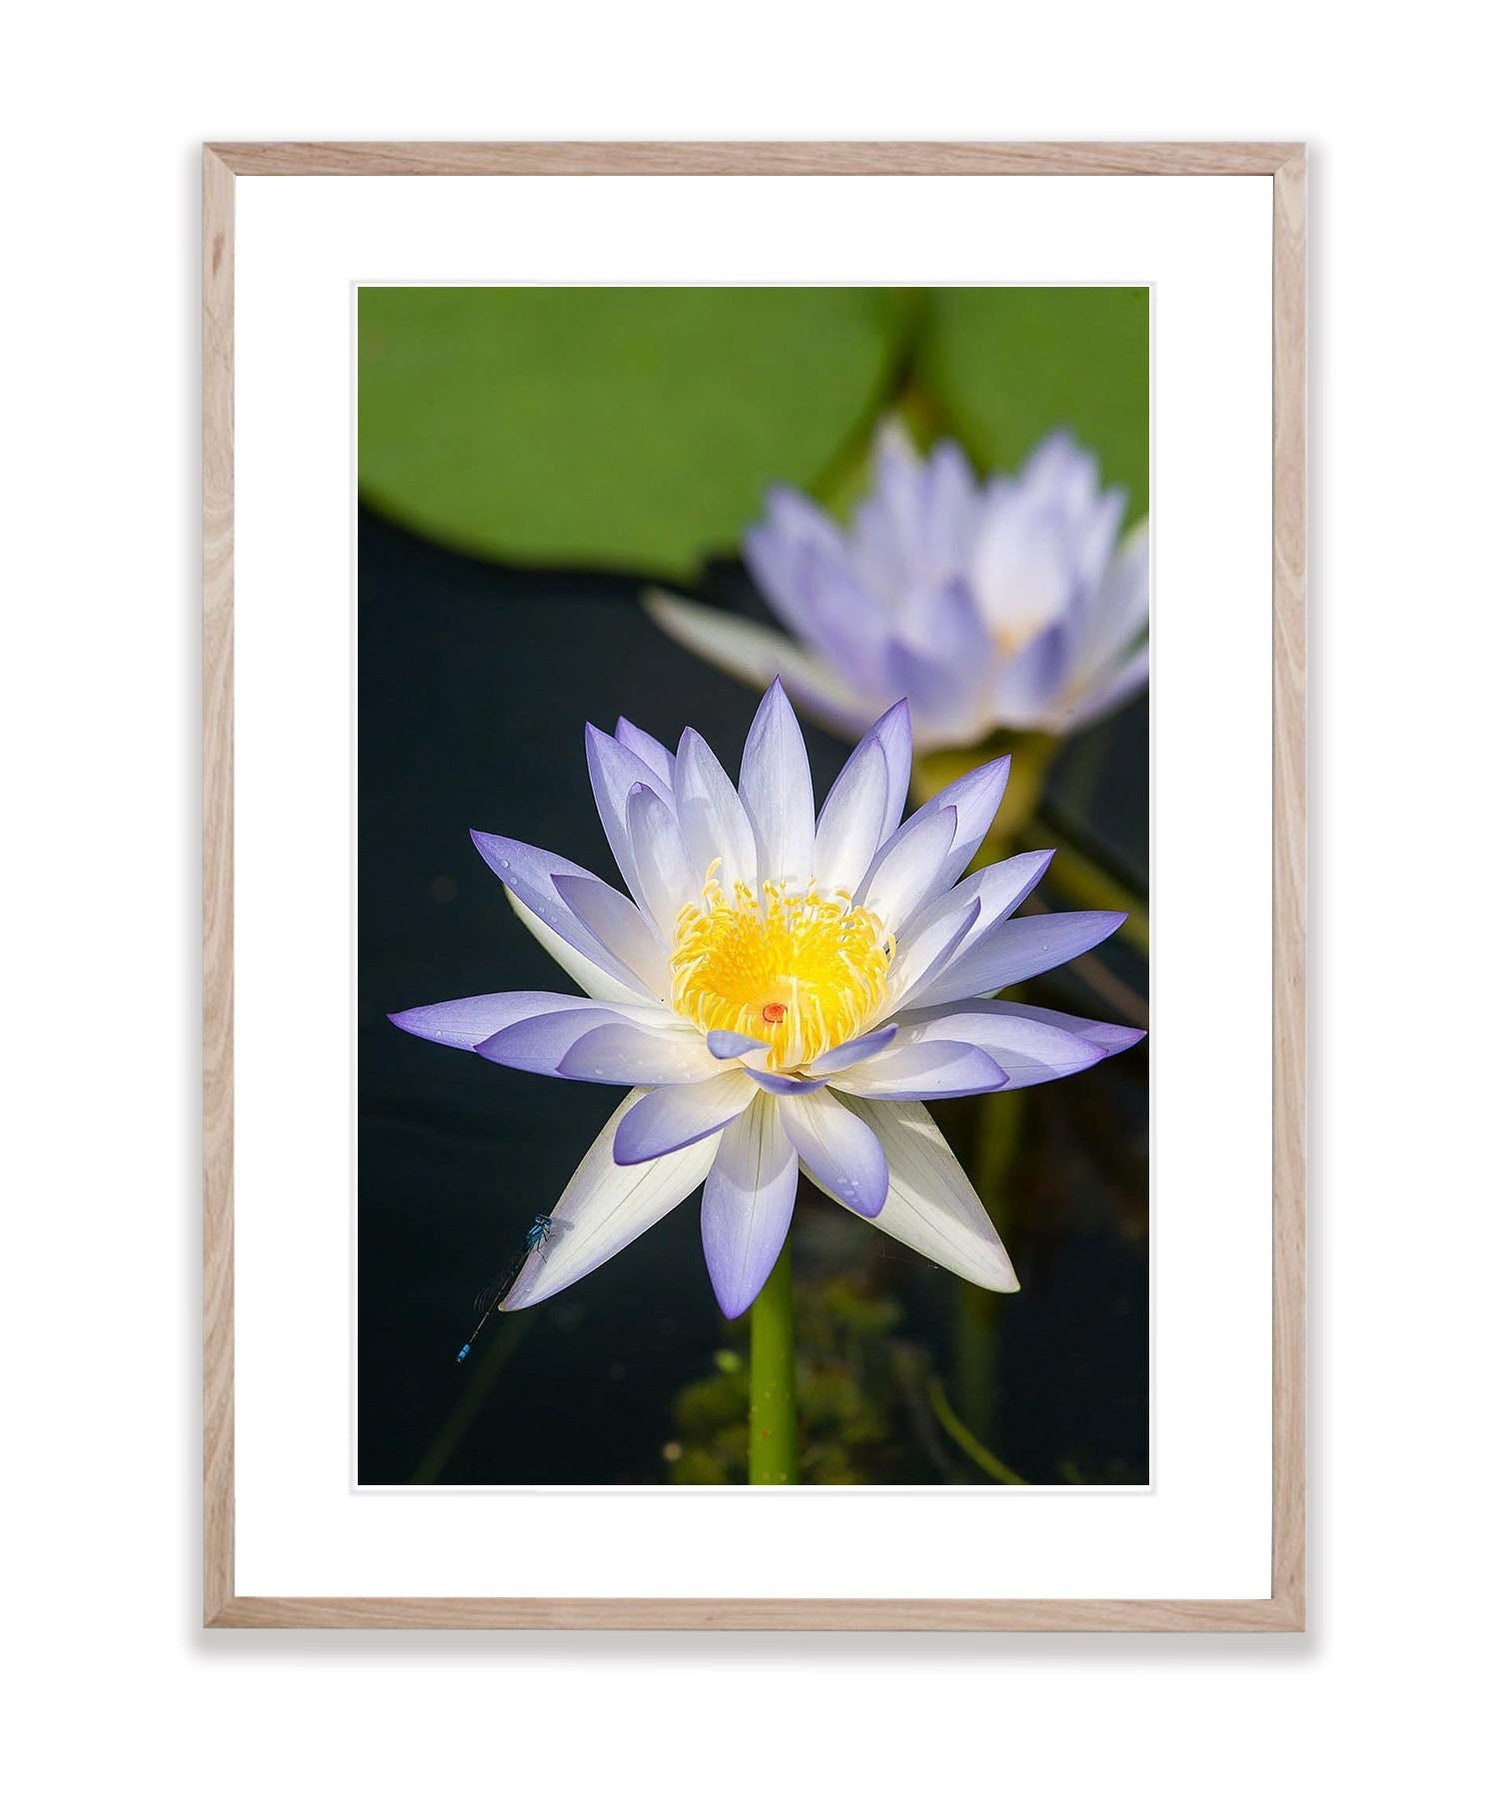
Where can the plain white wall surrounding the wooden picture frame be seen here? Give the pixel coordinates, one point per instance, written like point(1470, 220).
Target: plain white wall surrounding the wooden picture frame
point(98, 710)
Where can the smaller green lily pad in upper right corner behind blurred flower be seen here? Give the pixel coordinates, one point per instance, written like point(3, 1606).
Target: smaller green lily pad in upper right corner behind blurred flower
point(1009, 366)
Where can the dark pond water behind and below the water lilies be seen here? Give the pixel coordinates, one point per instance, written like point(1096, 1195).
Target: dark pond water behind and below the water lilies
point(474, 686)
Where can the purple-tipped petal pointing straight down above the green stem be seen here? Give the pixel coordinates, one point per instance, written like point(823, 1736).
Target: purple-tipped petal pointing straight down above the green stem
point(748, 1206)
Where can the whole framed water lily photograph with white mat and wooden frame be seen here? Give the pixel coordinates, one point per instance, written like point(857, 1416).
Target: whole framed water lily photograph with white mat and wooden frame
point(755, 886)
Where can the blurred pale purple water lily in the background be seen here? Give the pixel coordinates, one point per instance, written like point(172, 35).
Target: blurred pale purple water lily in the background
point(1001, 605)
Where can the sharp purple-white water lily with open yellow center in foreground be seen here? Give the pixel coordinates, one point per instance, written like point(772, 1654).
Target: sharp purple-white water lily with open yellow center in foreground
point(780, 990)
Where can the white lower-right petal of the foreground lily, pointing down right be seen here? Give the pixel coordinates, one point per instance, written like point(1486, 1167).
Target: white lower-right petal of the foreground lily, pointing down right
point(931, 1206)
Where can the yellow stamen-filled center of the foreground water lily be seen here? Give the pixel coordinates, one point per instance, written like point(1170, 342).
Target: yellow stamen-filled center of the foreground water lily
point(796, 971)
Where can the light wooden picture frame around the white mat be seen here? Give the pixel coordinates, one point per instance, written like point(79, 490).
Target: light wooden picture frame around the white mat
point(1284, 1611)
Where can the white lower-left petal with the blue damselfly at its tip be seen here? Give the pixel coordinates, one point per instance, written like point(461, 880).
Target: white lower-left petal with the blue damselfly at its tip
point(604, 1208)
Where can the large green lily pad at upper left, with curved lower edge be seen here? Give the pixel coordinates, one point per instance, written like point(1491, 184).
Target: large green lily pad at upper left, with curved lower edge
point(613, 427)
